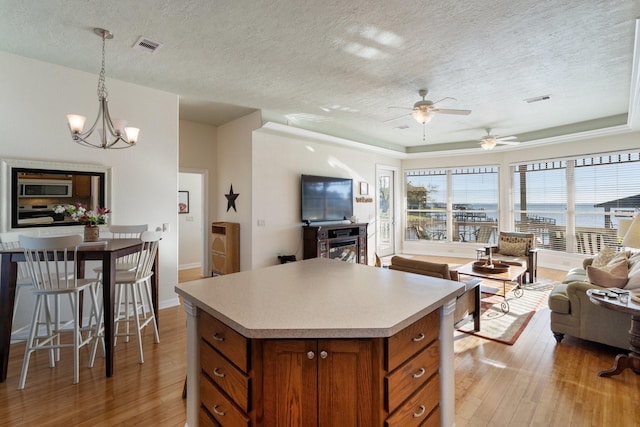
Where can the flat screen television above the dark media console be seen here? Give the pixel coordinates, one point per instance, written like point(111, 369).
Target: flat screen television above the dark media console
point(326, 198)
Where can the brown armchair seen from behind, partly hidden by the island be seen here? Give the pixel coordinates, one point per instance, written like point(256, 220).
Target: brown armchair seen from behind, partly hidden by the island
point(467, 304)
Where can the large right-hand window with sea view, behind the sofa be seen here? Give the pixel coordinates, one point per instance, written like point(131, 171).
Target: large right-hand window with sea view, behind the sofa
point(575, 205)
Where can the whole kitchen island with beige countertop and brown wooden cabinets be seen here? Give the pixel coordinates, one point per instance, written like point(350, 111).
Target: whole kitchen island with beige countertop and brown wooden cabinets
point(320, 342)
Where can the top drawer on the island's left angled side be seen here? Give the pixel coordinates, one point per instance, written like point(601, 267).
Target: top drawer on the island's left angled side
point(224, 339)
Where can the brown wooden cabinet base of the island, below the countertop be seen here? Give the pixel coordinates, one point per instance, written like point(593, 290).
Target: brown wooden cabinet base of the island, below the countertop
point(320, 382)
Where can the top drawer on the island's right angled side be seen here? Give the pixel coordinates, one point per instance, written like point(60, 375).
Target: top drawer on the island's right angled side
point(412, 339)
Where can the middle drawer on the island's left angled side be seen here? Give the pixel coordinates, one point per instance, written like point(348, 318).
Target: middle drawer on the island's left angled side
point(222, 372)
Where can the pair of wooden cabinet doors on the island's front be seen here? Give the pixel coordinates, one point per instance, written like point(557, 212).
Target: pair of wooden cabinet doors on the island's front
point(321, 382)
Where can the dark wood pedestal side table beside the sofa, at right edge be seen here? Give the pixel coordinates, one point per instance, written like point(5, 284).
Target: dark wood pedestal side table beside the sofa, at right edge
point(632, 359)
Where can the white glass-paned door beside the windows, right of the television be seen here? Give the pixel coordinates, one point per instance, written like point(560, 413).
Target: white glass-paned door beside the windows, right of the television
point(385, 211)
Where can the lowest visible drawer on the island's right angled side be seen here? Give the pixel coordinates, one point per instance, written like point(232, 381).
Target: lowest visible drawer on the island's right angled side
point(421, 409)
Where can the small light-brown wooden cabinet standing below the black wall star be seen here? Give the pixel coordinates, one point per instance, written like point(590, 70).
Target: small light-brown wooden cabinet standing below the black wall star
point(225, 248)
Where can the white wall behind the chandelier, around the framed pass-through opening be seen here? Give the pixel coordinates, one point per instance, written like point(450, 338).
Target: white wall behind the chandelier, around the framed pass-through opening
point(36, 96)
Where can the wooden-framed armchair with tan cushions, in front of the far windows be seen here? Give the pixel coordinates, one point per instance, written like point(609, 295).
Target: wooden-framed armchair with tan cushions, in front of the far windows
point(517, 248)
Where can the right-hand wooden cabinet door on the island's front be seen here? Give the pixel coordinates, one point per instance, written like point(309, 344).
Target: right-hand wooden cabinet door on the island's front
point(348, 383)
